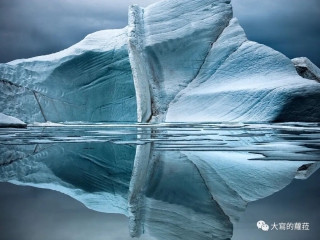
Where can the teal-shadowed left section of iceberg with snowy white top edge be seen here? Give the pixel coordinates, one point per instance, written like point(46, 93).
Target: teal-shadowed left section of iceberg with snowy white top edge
point(90, 81)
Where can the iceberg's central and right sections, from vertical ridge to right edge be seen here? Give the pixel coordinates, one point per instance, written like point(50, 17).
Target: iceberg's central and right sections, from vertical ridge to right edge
point(201, 67)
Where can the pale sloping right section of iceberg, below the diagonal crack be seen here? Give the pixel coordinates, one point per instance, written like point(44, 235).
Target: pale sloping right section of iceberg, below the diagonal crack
point(245, 81)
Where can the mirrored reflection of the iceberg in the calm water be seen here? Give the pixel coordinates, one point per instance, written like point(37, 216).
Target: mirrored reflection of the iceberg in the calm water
point(169, 194)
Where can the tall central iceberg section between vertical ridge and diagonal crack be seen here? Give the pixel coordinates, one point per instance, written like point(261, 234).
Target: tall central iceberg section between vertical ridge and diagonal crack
point(166, 50)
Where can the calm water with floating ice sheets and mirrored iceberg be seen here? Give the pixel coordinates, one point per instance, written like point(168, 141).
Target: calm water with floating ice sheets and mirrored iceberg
point(171, 180)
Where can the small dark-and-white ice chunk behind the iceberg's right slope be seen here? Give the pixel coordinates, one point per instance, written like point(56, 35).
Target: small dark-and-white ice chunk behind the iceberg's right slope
point(306, 68)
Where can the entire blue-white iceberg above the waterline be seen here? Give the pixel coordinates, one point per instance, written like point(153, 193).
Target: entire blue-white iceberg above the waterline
point(162, 67)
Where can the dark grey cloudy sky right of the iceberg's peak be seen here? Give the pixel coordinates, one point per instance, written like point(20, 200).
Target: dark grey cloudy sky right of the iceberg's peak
point(289, 26)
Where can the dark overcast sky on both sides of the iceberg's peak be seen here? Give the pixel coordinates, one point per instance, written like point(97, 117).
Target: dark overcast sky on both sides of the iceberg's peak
point(37, 27)
